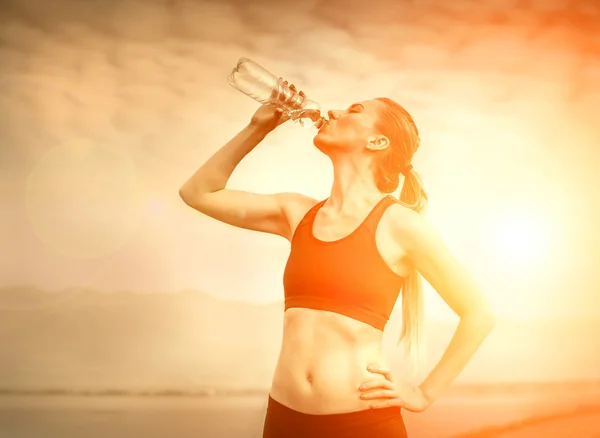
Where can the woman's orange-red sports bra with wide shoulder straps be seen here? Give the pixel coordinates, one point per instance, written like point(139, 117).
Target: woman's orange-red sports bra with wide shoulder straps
point(346, 276)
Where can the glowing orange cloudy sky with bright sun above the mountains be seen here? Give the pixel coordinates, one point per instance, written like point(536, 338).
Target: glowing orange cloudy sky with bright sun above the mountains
point(109, 106)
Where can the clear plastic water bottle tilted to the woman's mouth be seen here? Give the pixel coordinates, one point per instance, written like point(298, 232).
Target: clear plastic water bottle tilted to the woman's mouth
point(264, 87)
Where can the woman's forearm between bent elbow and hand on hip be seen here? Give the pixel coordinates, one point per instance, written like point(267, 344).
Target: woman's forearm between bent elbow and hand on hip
point(470, 333)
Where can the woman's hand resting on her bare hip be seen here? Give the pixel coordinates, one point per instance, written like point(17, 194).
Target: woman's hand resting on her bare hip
point(387, 393)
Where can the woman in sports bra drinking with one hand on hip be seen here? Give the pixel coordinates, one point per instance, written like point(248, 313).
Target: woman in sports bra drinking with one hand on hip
point(351, 255)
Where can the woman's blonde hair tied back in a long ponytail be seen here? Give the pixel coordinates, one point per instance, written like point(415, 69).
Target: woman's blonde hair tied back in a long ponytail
point(397, 124)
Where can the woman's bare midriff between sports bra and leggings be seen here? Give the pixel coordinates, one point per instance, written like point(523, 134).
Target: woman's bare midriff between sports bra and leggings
point(323, 361)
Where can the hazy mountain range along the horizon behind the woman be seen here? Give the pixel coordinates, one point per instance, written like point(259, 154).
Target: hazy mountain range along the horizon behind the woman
point(85, 340)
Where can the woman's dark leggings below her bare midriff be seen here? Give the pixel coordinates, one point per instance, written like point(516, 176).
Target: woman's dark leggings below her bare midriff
point(283, 422)
